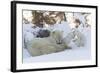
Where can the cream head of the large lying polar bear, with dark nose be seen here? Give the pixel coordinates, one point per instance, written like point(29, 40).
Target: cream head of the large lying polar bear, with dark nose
point(57, 36)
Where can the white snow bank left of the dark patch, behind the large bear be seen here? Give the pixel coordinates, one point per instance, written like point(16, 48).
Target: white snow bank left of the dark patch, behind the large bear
point(29, 33)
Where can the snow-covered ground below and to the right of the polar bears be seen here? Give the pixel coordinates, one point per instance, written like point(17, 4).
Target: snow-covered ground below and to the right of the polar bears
point(76, 53)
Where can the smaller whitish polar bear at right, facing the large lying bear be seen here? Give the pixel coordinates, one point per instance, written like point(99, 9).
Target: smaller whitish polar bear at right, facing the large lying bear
point(76, 37)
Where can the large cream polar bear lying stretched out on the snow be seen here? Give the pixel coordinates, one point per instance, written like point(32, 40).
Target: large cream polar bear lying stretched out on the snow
point(47, 45)
